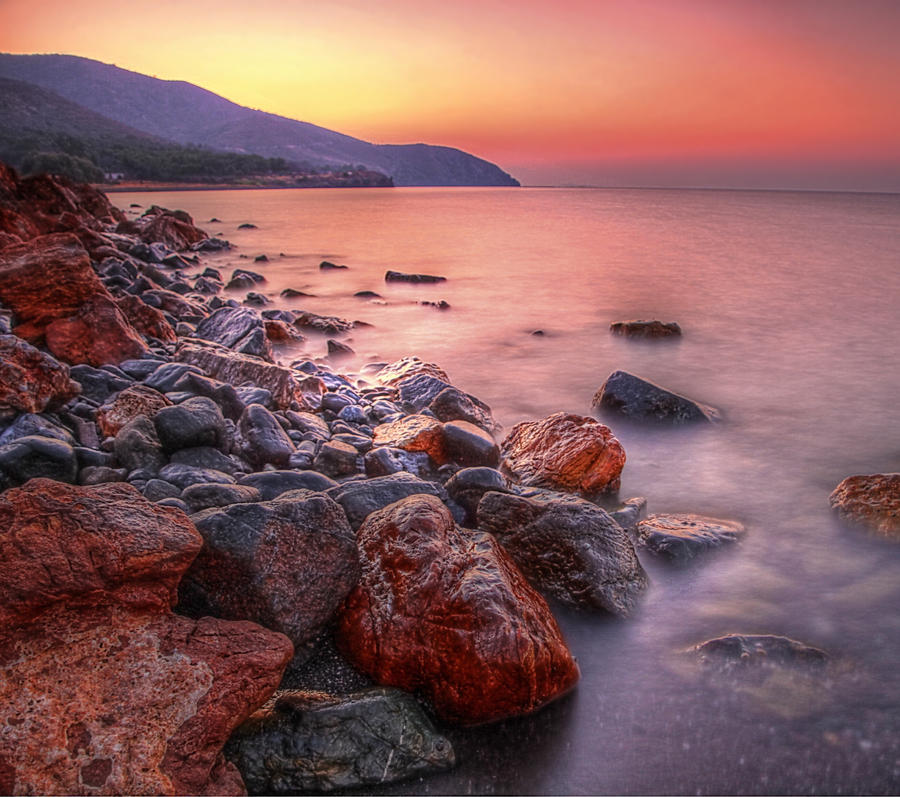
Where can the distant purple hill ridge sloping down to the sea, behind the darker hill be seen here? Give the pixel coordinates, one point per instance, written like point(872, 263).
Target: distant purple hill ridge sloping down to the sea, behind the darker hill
point(187, 114)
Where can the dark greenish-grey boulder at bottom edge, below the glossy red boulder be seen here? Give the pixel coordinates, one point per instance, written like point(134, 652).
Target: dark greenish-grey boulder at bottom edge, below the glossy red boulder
point(311, 741)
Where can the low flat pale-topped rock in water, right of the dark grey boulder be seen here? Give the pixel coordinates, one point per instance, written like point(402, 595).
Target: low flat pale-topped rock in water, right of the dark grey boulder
point(684, 536)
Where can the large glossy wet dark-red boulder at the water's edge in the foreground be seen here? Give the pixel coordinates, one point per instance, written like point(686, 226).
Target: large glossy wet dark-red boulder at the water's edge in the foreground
point(443, 611)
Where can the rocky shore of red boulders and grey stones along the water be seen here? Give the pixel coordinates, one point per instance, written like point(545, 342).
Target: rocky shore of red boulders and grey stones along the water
point(222, 571)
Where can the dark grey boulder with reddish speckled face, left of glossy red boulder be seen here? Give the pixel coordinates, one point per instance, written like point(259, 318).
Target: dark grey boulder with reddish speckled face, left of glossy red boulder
point(295, 559)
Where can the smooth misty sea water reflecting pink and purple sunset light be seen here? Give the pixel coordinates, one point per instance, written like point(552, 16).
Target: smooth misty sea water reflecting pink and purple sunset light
point(789, 305)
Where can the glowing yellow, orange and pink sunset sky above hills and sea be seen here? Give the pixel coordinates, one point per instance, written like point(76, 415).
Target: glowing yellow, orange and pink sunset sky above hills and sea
point(723, 93)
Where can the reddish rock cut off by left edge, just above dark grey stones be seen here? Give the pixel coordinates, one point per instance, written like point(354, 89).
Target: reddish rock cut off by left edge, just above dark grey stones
point(31, 381)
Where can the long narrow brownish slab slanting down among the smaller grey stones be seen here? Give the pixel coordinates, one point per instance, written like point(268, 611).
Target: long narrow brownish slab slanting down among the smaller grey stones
point(286, 385)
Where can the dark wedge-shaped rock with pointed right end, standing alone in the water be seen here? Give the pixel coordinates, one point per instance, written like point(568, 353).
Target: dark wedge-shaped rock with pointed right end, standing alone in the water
point(629, 395)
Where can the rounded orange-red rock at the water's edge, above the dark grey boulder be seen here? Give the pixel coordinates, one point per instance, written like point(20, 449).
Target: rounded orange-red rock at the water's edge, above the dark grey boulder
point(564, 452)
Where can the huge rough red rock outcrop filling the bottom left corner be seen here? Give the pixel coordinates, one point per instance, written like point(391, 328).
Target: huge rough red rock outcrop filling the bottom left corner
point(111, 692)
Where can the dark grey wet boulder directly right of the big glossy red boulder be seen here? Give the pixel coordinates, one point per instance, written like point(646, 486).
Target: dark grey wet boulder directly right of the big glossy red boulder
point(568, 548)
